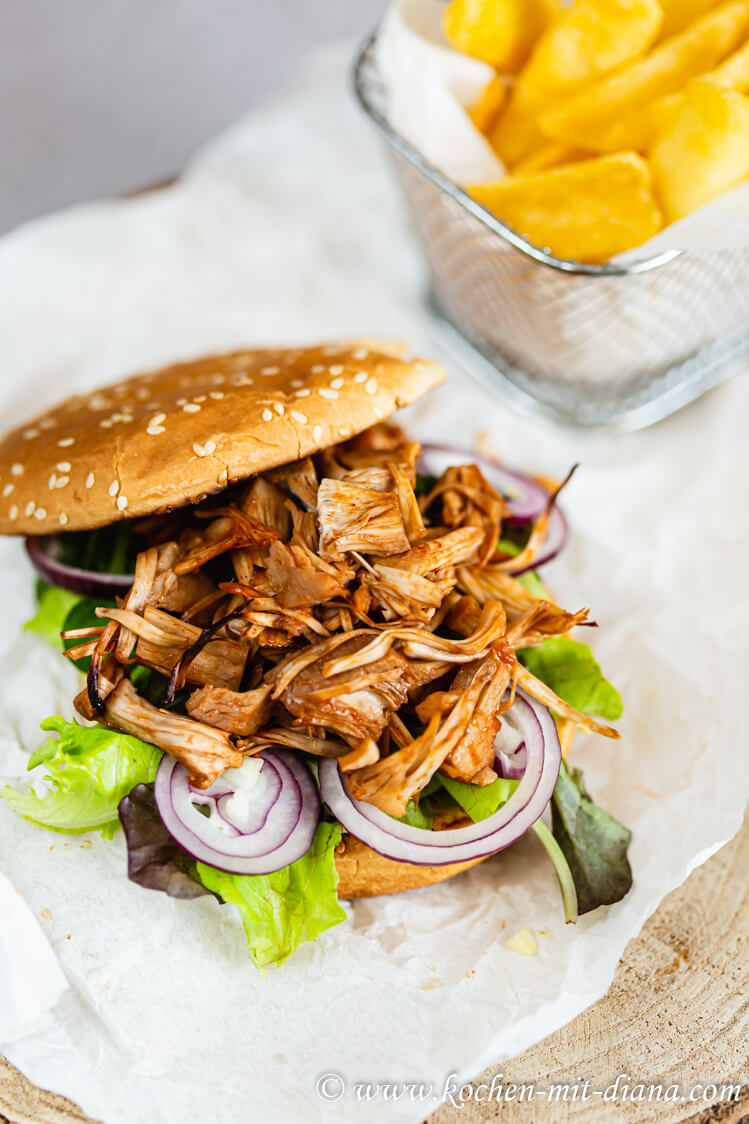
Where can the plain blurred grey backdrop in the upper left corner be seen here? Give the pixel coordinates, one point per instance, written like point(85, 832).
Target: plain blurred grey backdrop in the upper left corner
point(101, 97)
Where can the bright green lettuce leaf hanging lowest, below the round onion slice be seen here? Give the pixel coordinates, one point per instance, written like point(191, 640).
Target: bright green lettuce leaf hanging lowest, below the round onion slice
point(284, 910)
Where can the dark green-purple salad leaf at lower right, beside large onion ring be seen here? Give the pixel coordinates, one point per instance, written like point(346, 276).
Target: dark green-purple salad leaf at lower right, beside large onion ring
point(593, 842)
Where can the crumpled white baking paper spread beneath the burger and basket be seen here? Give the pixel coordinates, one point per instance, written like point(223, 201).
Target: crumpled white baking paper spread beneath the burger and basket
point(290, 229)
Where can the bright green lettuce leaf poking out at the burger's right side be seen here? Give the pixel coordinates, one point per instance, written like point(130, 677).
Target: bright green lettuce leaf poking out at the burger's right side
point(571, 669)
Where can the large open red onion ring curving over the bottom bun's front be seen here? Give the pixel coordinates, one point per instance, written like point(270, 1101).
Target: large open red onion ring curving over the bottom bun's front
point(422, 847)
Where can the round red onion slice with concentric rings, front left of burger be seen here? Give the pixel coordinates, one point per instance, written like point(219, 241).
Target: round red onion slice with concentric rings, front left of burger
point(276, 829)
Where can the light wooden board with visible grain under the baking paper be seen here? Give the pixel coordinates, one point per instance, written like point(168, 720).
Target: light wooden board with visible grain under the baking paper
point(676, 1013)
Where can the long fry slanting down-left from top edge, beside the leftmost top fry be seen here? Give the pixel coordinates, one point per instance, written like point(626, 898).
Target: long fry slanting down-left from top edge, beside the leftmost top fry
point(585, 42)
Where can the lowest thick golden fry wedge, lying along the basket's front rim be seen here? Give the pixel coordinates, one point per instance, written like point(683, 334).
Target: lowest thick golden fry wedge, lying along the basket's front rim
point(588, 212)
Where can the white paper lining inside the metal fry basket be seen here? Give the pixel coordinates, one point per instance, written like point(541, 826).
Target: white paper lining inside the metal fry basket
point(431, 87)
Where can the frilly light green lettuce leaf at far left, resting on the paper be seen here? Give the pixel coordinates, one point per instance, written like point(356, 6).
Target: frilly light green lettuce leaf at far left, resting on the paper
point(89, 769)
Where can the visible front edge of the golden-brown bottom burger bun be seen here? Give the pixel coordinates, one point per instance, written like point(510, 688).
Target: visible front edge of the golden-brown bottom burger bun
point(365, 874)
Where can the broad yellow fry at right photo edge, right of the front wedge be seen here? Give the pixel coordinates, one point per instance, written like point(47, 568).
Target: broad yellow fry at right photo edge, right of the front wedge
point(705, 152)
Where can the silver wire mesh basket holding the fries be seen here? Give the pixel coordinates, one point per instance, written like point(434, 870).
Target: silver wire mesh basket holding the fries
point(613, 345)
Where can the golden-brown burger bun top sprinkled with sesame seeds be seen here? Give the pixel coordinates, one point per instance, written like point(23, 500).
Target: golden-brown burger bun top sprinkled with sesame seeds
point(172, 437)
